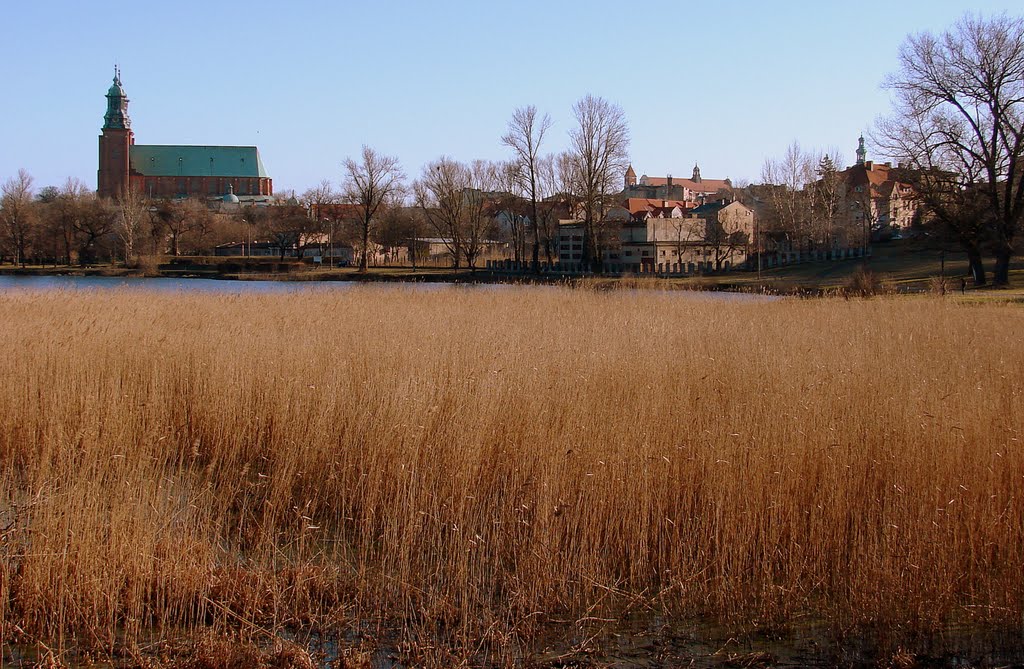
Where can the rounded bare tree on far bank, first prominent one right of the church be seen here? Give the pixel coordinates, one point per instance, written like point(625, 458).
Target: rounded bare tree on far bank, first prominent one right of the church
point(373, 183)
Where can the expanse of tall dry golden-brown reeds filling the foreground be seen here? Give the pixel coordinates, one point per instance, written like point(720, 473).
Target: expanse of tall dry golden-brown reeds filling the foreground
point(470, 466)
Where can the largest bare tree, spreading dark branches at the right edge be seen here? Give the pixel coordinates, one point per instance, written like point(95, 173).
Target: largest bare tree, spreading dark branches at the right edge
point(959, 124)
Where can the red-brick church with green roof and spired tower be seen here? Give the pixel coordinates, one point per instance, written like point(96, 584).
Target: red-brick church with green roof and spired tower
point(169, 171)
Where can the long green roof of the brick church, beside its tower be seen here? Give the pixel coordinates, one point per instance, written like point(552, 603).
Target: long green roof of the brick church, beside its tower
point(169, 160)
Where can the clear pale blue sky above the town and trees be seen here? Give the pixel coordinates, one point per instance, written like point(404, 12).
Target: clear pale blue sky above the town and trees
point(721, 85)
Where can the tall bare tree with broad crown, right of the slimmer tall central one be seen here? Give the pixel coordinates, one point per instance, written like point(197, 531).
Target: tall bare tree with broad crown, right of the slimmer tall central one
point(599, 158)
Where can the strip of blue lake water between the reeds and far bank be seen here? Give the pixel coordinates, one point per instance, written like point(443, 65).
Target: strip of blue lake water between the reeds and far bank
point(168, 285)
